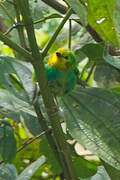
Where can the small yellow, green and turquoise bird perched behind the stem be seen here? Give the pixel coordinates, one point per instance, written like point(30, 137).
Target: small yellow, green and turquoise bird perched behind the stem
point(60, 72)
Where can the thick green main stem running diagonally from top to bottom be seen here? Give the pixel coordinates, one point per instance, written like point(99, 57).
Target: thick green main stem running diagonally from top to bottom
point(51, 108)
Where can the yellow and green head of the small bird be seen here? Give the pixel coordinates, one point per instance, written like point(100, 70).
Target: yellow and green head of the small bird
point(63, 60)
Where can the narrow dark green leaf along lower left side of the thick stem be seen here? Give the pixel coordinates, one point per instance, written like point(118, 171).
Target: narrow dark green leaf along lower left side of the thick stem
point(46, 150)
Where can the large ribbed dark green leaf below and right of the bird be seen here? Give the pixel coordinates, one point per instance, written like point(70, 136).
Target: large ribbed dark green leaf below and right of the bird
point(93, 118)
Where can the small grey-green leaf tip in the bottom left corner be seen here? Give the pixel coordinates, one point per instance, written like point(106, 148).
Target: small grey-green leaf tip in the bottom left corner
point(8, 172)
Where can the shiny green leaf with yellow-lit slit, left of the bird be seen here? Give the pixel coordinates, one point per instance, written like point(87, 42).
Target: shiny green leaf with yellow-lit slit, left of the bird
point(21, 73)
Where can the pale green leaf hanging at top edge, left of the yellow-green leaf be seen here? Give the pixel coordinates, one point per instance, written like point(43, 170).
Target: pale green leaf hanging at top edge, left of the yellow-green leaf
point(80, 10)
